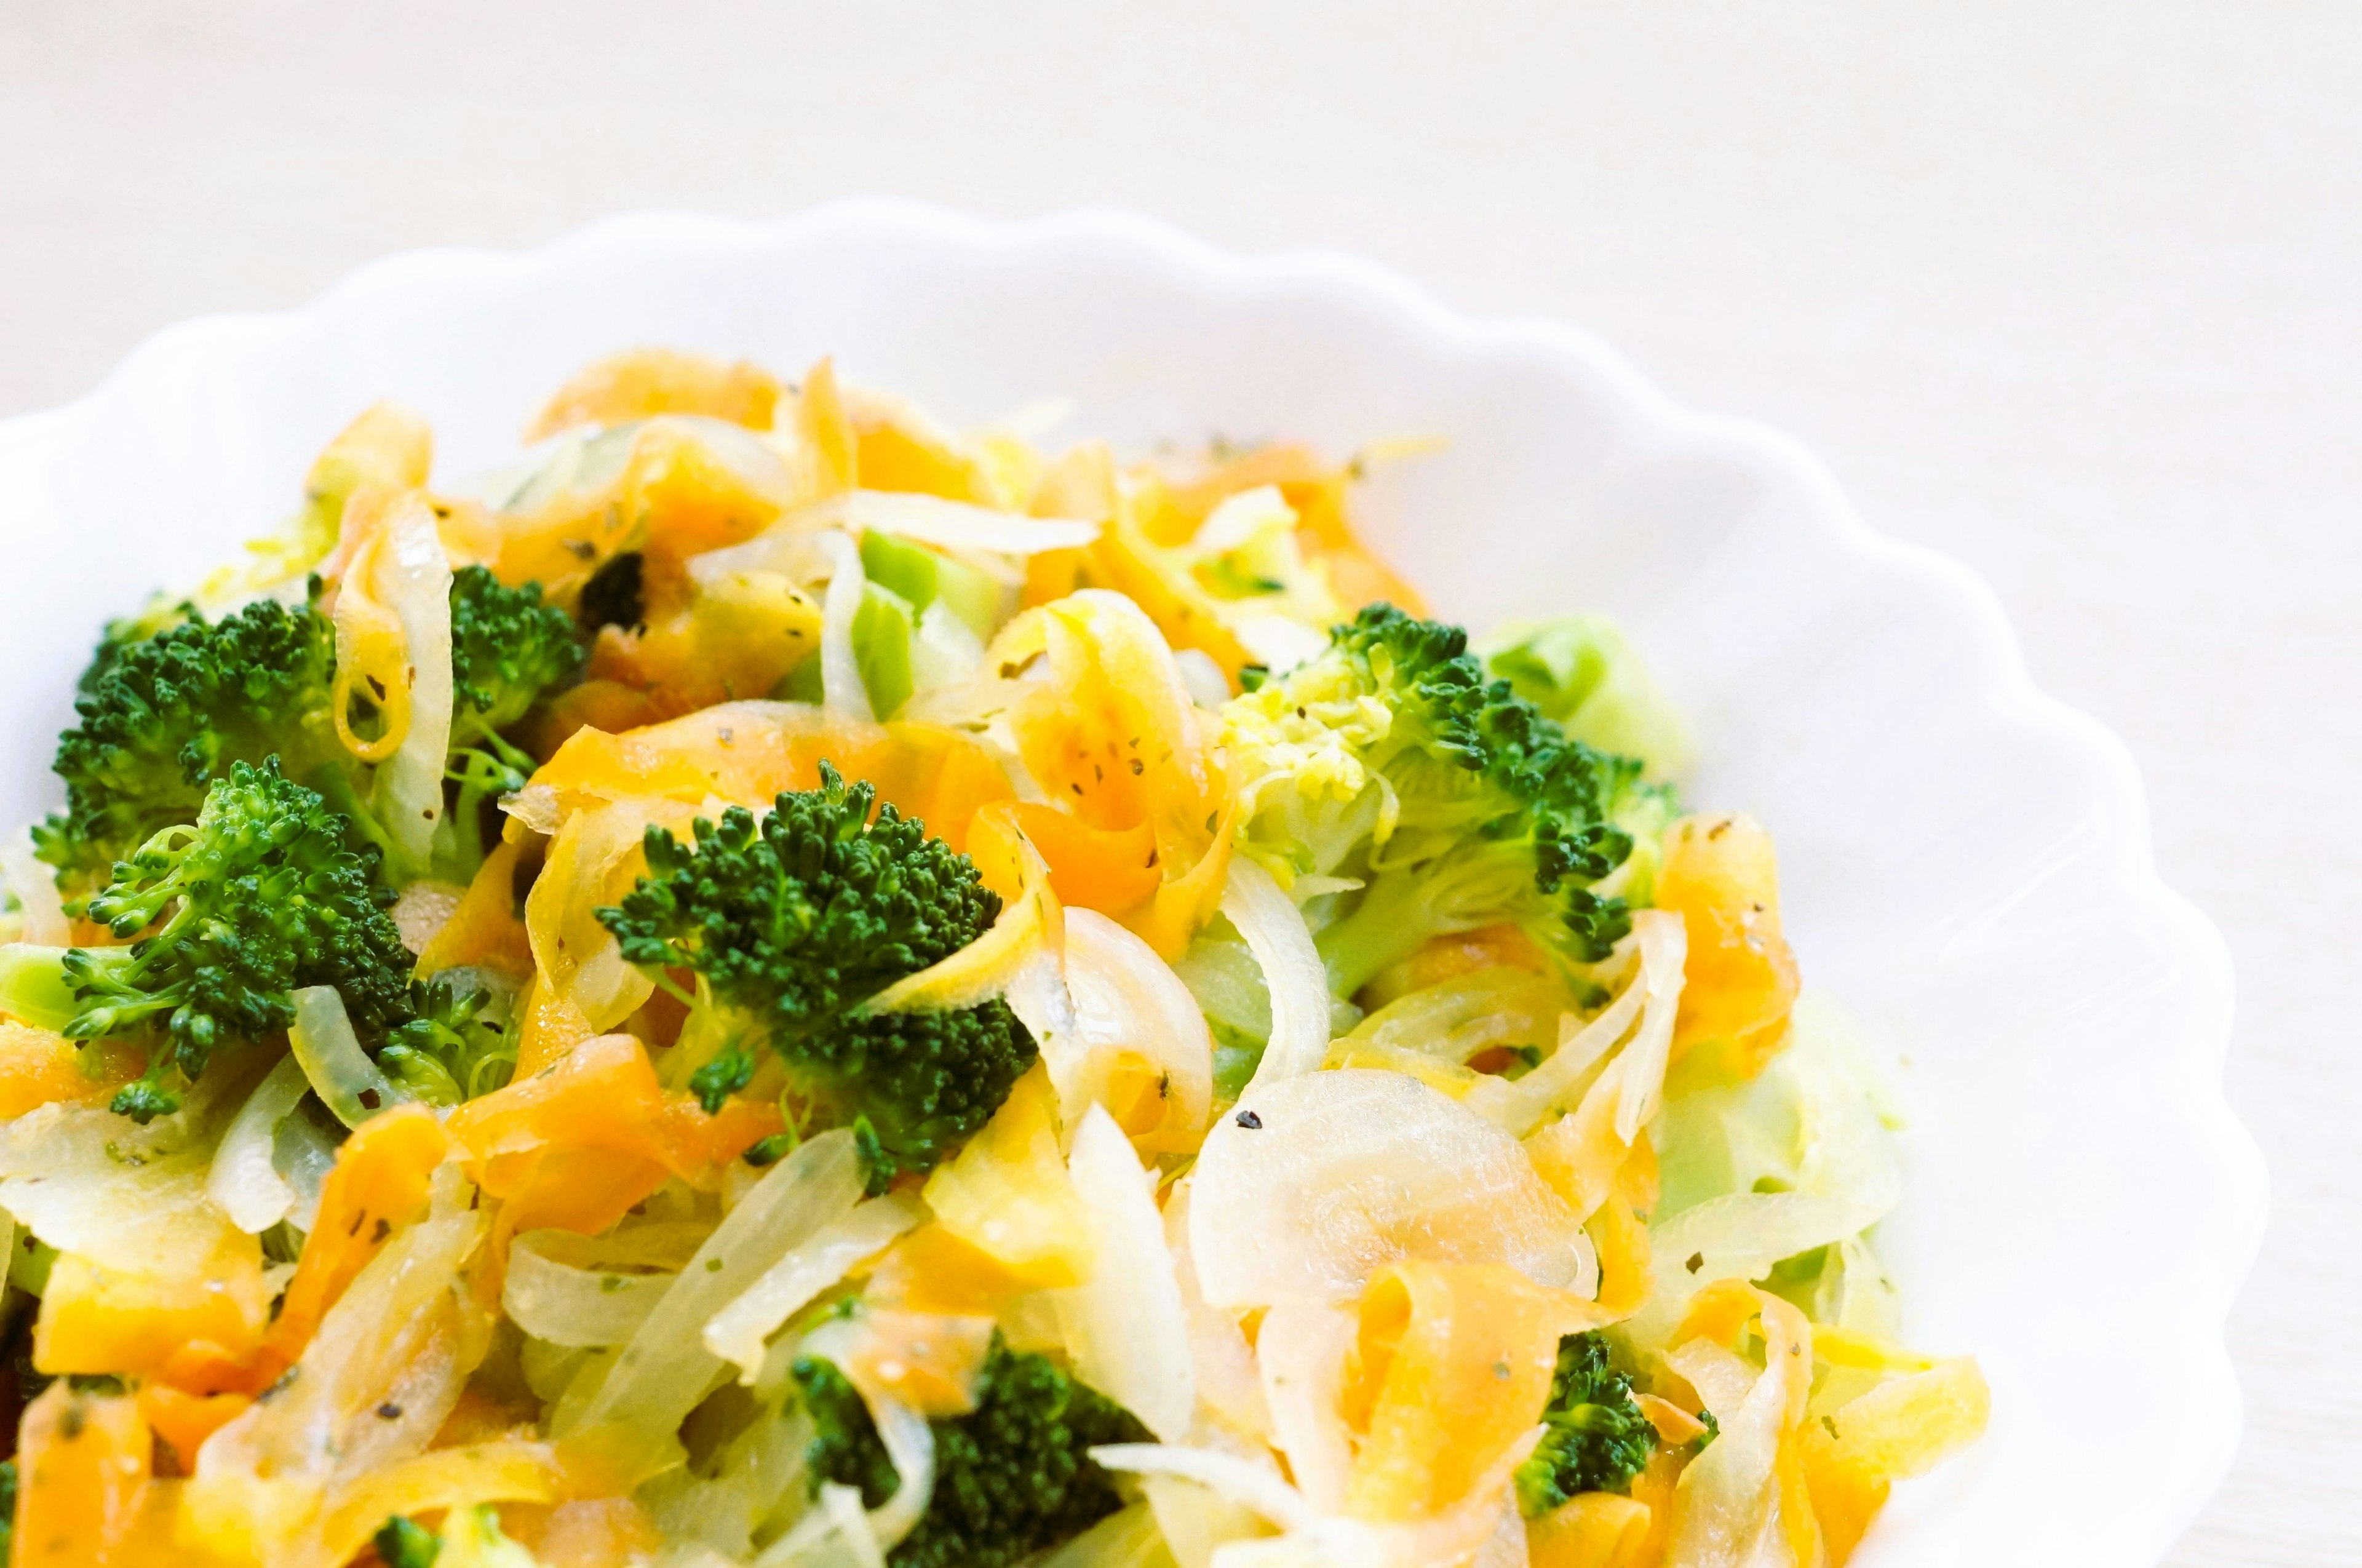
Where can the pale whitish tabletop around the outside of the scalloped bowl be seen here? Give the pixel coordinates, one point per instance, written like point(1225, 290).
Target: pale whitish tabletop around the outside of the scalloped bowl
point(2070, 292)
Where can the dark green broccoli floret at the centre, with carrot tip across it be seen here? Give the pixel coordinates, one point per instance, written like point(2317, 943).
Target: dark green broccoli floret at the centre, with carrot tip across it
point(797, 920)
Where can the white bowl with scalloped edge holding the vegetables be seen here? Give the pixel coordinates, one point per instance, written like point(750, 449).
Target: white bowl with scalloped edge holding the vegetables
point(1966, 861)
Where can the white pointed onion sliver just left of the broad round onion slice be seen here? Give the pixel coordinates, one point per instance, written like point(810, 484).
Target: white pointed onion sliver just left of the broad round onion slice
point(1125, 1326)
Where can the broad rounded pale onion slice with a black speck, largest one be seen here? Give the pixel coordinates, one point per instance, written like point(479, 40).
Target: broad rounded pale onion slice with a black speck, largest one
point(1322, 1180)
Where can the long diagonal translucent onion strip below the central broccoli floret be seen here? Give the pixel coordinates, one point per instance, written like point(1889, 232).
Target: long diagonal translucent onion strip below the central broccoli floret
point(665, 1371)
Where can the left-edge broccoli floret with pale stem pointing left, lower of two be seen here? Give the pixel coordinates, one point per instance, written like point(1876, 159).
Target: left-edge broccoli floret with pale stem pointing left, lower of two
point(254, 901)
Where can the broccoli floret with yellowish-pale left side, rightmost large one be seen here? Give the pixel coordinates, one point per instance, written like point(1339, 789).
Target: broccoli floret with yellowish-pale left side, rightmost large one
point(1392, 762)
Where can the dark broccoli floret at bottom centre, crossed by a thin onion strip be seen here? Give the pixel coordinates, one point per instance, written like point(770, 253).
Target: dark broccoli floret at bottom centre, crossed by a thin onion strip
point(1012, 1477)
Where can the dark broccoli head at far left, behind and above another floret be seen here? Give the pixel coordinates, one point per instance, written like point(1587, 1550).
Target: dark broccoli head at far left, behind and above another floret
point(159, 719)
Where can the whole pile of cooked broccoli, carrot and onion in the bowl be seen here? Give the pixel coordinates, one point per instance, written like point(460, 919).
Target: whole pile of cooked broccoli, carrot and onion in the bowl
point(788, 986)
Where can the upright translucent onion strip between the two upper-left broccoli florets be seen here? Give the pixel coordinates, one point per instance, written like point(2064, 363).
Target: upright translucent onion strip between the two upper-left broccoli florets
point(412, 577)
